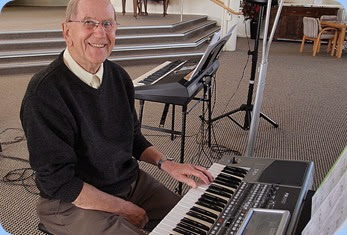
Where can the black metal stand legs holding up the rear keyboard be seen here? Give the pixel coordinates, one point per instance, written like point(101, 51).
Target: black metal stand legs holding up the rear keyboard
point(205, 99)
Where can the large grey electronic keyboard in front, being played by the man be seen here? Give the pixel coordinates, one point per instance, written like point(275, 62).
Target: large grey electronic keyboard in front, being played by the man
point(225, 206)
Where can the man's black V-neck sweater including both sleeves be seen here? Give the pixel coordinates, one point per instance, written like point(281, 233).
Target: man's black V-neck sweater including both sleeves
point(76, 133)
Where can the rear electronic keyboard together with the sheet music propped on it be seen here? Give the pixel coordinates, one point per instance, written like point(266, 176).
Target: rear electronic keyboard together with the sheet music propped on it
point(175, 85)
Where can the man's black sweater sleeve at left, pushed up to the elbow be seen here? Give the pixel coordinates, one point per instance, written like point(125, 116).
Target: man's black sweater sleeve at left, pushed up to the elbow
point(50, 138)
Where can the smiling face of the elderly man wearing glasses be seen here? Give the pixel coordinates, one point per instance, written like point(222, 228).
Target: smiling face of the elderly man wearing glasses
point(90, 47)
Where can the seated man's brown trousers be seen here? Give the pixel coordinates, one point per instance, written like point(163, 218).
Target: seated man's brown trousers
point(62, 218)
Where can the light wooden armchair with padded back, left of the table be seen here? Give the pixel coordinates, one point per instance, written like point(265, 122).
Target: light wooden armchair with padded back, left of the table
point(314, 32)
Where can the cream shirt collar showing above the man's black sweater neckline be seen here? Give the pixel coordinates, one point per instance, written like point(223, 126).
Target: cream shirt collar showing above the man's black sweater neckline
point(81, 73)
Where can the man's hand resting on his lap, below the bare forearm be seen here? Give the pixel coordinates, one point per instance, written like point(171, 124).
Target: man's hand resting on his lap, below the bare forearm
point(134, 214)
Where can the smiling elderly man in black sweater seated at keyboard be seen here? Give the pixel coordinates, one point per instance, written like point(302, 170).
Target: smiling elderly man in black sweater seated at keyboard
point(85, 141)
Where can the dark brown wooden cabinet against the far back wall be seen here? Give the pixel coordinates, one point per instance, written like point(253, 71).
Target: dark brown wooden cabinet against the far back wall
point(290, 23)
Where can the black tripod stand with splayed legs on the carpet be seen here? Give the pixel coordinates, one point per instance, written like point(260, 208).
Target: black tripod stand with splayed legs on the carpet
point(248, 107)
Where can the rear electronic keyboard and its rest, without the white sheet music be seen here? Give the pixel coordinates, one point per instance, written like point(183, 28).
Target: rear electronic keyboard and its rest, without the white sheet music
point(173, 85)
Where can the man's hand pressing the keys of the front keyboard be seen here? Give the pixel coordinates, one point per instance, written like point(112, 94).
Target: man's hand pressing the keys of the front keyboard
point(181, 172)
